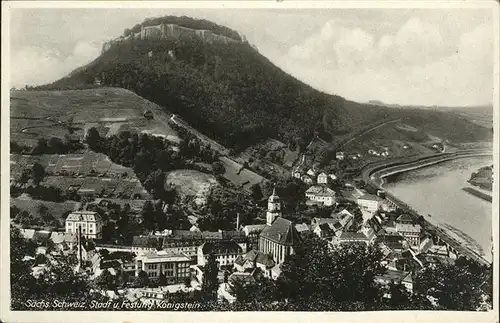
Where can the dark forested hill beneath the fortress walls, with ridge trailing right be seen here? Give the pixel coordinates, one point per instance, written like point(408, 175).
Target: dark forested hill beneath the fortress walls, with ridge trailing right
point(235, 95)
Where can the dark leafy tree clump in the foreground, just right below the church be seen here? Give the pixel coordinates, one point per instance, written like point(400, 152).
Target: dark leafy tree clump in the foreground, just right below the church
point(343, 274)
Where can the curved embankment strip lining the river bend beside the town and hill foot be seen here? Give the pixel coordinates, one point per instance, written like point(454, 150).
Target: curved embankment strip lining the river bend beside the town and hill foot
point(373, 175)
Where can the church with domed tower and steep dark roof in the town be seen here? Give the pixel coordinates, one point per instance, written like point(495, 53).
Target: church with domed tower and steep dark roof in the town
point(279, 237)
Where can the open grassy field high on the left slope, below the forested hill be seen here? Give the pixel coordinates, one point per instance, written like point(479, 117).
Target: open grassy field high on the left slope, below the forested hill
point(44, 114)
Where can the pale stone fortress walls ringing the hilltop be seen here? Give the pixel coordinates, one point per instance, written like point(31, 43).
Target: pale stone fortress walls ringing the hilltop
point(171, 31)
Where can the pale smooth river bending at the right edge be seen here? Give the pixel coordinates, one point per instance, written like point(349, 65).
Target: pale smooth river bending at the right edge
point(437, 190)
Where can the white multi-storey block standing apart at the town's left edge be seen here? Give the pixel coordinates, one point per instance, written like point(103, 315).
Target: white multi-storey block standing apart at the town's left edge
point(90, 222)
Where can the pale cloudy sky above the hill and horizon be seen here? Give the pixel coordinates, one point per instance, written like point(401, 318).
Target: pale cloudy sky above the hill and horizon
point(399, 56)
